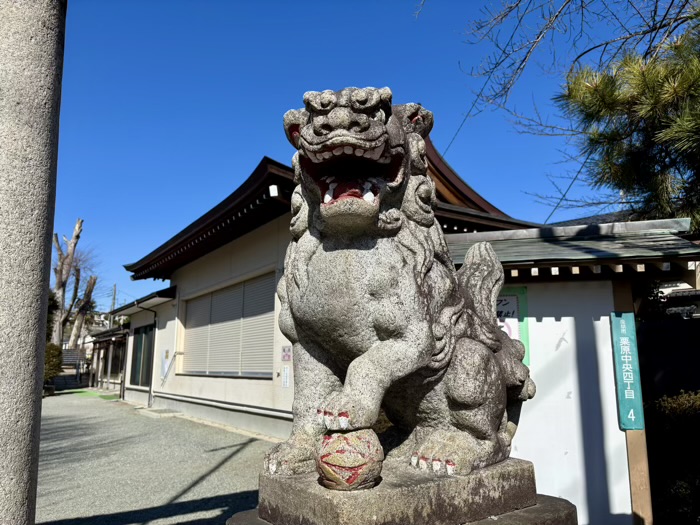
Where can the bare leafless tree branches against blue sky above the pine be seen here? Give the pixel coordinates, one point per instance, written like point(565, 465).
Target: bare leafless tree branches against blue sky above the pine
point(607, 29)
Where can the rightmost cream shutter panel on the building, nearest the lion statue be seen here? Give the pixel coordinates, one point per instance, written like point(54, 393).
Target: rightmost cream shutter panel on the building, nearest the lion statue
point(258, 330)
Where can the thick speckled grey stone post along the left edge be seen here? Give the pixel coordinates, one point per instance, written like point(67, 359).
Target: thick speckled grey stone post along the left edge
point(31, 47)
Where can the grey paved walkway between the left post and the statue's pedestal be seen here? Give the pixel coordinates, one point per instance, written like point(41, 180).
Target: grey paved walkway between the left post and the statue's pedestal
point(103, 463)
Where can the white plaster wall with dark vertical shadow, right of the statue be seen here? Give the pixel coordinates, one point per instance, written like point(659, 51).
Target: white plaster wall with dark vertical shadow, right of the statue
point(570, 429)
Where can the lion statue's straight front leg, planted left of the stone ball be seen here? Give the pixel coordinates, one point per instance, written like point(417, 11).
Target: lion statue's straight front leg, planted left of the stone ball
point(314, 379)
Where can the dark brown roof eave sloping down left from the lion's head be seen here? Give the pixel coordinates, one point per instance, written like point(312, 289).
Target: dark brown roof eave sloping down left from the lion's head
point(247, 208)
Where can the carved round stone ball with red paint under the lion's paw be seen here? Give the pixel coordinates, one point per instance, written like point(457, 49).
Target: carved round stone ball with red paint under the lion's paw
point(350, 461)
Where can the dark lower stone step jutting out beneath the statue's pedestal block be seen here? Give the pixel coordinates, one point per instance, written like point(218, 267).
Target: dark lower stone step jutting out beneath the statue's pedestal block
point(547, 511)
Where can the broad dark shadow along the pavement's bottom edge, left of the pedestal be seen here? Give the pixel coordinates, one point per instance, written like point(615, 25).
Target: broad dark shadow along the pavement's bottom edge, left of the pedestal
point(229, 505)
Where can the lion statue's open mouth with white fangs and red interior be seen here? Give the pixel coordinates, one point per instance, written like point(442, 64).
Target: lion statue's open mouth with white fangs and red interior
point(343, 169)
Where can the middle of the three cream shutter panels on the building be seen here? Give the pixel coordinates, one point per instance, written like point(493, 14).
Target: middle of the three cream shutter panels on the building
point(225, 331)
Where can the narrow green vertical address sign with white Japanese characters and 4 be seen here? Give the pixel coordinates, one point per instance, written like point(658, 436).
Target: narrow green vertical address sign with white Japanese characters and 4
point(627, 378)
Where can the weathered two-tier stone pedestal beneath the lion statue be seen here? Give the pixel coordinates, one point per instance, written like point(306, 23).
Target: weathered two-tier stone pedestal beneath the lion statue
point(410, 497)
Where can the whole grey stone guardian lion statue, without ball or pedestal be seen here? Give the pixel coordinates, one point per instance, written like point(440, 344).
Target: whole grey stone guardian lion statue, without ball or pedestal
point(378, 316)
